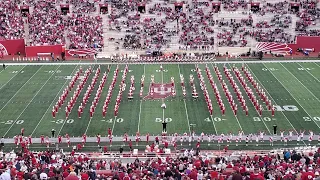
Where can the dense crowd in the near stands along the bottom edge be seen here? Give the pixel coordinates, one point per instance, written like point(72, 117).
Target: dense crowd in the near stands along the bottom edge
point(186, 165)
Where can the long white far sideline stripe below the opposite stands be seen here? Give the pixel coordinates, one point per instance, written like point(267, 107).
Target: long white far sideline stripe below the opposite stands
point(178, 62)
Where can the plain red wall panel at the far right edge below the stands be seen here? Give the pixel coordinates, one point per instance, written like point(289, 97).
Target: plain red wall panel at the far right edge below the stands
point(306, 42)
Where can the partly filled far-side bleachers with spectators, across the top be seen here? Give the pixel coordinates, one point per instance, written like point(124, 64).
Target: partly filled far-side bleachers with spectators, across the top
point(159, 25)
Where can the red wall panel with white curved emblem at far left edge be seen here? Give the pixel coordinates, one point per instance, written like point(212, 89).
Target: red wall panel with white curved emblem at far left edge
point(14, 46)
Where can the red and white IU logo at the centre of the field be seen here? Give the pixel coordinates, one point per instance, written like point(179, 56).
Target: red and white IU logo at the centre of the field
point(159, 91)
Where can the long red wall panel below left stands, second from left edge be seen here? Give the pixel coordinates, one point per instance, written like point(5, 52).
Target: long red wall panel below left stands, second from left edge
point(32, 51)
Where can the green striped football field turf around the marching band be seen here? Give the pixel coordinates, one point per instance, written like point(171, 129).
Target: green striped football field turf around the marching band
point(28, 93)
